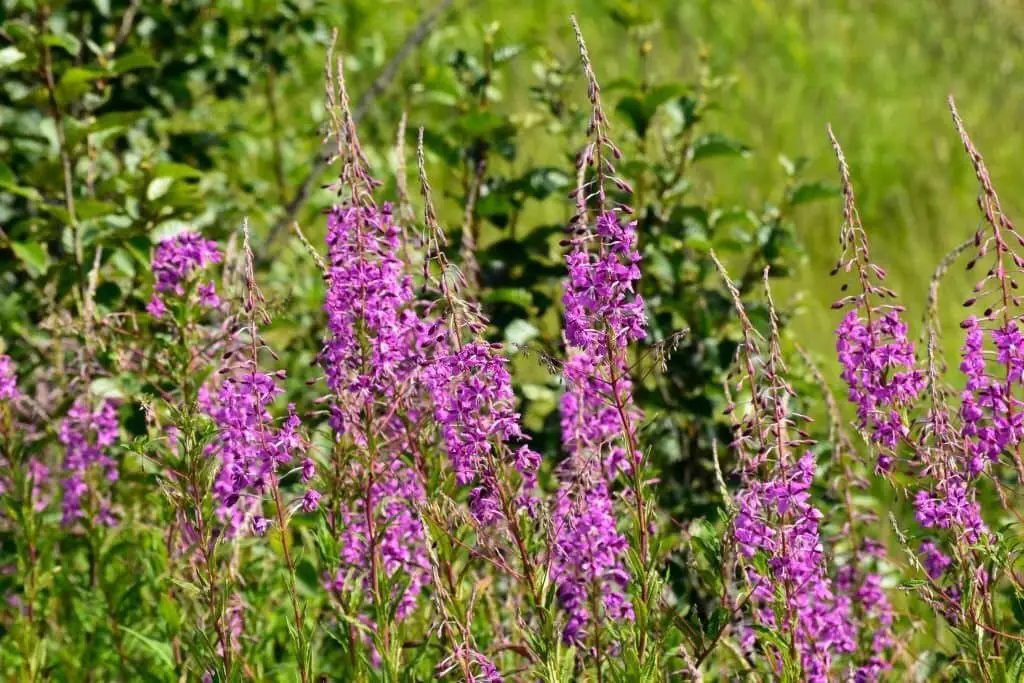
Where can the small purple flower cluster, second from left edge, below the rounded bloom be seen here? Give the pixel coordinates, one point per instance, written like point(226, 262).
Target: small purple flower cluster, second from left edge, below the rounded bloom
point(89, 435)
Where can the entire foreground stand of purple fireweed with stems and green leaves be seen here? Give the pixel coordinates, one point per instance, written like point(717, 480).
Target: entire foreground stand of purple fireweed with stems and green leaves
point(167, 515)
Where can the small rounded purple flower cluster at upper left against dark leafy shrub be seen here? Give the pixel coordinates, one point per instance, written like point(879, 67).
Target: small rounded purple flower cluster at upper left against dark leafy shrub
point(175, 261)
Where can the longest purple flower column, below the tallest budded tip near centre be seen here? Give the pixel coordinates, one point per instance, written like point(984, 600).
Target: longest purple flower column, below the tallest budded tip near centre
point(604, 314)
